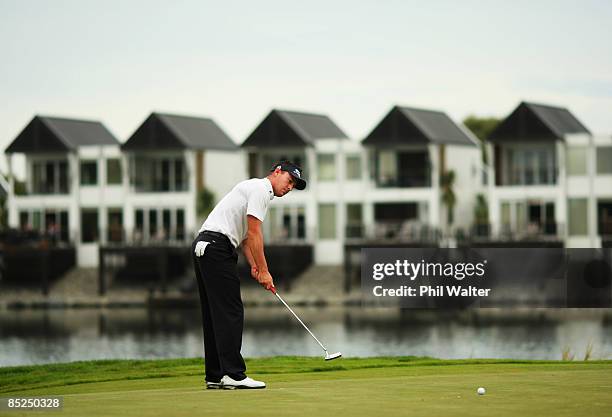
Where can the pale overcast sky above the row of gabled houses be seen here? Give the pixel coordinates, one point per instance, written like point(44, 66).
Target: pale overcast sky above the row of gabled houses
point(234, 61)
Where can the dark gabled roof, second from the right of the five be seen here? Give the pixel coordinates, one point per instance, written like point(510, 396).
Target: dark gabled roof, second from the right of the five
point(406, 126)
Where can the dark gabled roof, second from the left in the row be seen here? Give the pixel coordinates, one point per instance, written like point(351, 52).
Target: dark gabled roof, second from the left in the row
point(168, 131)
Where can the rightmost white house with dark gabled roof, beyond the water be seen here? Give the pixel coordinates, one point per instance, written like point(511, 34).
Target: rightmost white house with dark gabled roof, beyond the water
point(552, 178)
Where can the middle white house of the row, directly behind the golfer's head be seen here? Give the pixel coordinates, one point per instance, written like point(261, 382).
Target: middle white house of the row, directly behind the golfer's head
point(333, 167)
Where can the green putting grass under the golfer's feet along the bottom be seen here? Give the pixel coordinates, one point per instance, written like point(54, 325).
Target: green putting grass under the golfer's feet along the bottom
point(300, 386)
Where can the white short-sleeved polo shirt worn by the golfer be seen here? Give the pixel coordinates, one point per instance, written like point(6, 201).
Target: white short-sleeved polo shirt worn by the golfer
point(230, 215)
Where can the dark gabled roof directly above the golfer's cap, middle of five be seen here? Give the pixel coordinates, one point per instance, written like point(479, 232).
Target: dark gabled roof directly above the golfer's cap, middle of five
point(291, 129)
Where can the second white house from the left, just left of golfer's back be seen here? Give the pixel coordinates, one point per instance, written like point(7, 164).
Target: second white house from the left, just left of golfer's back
point(170, 160)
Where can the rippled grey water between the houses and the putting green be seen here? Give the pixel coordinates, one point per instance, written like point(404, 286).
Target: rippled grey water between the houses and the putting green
point(44, 336)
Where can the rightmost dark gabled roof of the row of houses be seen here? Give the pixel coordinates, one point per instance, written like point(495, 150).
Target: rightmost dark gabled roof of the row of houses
point(537, 121)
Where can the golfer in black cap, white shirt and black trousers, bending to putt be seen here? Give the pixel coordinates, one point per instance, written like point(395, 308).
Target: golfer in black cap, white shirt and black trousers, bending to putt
point(235, 221)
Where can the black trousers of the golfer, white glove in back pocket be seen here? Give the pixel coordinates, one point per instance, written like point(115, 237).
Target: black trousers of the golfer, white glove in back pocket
point(222, 309)
